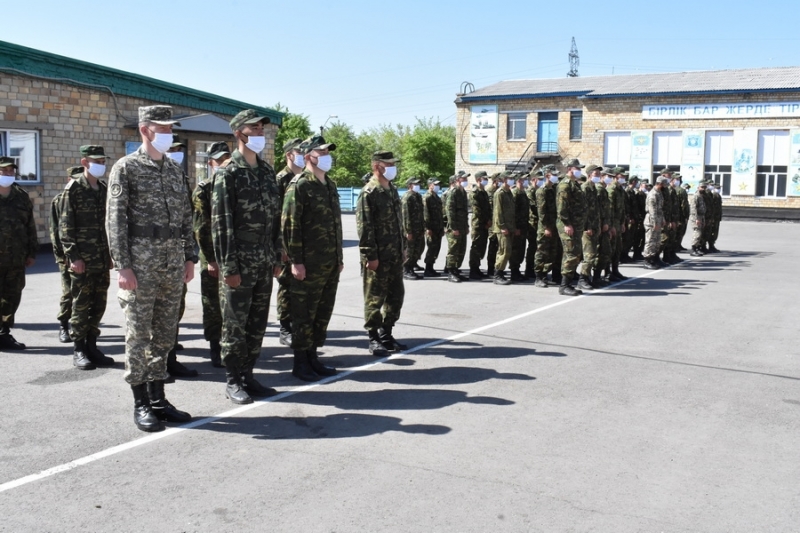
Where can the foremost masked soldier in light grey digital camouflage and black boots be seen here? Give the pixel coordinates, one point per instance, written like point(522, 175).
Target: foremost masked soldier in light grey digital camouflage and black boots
point(149, 228)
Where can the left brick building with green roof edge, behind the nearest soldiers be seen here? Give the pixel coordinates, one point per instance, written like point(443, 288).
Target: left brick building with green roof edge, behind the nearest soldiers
point(50, 105)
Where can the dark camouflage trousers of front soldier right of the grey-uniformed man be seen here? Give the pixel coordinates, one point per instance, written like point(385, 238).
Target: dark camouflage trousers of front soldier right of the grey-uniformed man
point(244, 314)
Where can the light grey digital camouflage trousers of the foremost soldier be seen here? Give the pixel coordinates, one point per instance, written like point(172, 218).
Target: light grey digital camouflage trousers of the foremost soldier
point(151, 319)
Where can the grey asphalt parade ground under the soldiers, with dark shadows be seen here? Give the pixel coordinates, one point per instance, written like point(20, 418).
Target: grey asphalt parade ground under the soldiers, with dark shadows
point(669, 402)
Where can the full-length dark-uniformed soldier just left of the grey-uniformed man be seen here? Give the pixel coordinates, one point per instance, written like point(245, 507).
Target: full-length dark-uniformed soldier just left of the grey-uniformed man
point(82, 232)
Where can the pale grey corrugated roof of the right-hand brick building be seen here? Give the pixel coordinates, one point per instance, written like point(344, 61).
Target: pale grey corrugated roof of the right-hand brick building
point(772, 79)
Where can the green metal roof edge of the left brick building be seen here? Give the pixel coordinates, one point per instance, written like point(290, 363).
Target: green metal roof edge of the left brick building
point(28, 61)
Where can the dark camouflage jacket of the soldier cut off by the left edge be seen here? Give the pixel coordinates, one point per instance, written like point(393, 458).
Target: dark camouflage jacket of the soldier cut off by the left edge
point(18, 240)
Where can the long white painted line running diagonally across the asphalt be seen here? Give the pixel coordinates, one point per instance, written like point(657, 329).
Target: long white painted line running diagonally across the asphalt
point(108, 452)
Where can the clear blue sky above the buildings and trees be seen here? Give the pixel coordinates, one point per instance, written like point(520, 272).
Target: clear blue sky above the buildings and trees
point(373, 63)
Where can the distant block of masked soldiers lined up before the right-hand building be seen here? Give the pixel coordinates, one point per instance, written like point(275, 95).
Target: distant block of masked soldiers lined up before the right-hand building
point(552, 223)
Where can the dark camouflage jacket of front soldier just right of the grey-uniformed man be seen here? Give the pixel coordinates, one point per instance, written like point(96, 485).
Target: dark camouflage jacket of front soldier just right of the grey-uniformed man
point(245, 215)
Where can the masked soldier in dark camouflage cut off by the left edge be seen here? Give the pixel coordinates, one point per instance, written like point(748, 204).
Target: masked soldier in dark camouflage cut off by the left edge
point(18, 247)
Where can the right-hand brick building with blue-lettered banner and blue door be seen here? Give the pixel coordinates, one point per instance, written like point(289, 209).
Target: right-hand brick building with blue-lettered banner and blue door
point(740, 128)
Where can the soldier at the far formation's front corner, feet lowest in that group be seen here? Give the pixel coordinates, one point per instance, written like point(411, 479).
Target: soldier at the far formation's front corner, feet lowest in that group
point(570, 224)
